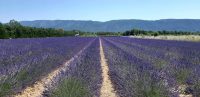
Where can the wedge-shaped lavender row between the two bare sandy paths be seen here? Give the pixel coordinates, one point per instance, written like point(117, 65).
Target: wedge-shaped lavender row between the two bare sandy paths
point(86, 70)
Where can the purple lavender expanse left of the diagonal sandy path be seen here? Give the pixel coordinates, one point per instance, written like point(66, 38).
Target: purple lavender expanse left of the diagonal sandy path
point(24, 61)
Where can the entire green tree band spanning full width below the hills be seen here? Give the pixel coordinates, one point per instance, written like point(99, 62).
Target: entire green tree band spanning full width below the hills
point(14, 29)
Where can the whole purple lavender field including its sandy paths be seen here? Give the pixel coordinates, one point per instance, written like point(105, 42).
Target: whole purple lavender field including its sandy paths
point(99, 67)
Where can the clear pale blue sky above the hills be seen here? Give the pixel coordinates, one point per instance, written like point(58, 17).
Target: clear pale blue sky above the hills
point(98, 10)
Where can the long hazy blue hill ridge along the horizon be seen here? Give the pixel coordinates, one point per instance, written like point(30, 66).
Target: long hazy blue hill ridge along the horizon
point(192, 25)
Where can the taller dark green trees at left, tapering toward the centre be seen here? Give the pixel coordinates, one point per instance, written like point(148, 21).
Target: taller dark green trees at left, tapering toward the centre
point(14, 29)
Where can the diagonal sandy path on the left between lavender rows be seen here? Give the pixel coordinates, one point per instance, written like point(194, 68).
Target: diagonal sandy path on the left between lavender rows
point(39, 87)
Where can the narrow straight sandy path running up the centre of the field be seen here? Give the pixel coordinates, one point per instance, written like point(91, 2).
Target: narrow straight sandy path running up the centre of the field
point(107, 89)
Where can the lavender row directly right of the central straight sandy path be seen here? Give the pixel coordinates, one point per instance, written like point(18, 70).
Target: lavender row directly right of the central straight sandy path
point(132, 76)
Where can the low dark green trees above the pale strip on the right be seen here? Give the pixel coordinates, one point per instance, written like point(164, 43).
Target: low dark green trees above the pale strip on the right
point(156, 33)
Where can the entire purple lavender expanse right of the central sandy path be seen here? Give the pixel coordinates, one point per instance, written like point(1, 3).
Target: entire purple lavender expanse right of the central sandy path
point(153, 67)
